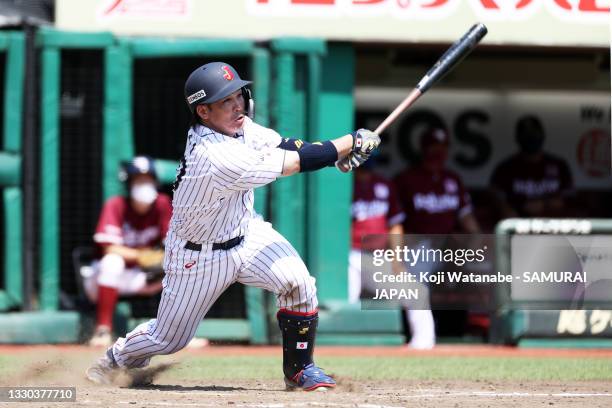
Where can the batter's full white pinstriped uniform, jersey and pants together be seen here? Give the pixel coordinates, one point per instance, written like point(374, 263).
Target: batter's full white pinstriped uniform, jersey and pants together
point(214, 203)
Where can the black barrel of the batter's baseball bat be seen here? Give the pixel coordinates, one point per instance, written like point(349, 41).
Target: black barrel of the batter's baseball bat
point(458, 51)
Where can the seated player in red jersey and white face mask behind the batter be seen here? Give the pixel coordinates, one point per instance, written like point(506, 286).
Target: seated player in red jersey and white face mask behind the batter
point(129, 237)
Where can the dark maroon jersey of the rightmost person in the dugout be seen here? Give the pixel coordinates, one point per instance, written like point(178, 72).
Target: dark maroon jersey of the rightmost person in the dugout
point(522, 180)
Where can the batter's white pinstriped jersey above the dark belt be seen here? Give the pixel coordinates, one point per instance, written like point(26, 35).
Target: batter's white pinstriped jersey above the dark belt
point(213, 198)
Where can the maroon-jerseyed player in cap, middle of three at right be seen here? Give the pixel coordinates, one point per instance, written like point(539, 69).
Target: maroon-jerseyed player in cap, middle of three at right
point(436, 202)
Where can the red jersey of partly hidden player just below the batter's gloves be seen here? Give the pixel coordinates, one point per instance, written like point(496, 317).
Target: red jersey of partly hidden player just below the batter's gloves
point(375, 208)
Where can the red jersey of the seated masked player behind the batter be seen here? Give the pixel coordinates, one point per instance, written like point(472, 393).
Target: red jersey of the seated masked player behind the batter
point(119, 224)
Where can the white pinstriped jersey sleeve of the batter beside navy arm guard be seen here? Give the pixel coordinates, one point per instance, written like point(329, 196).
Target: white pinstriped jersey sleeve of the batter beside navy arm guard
point(238, 167)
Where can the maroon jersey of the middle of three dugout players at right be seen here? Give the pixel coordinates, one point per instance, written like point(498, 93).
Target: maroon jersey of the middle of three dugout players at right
point(433, 203)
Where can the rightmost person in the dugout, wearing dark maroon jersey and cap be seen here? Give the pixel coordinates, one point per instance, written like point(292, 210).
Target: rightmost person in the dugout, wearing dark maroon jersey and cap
point(532, 182)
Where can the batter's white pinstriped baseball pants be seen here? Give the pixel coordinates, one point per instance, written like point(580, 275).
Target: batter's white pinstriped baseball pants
point(195, 279)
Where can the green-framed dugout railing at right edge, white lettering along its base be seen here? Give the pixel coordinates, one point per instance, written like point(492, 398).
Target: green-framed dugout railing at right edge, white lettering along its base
point(553, 323)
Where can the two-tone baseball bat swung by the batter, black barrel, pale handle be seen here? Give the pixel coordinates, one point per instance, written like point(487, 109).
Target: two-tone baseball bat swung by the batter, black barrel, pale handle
point(457, 52)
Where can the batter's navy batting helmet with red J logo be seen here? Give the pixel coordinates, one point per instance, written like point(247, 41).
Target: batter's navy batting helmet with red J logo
point(212, 82)
